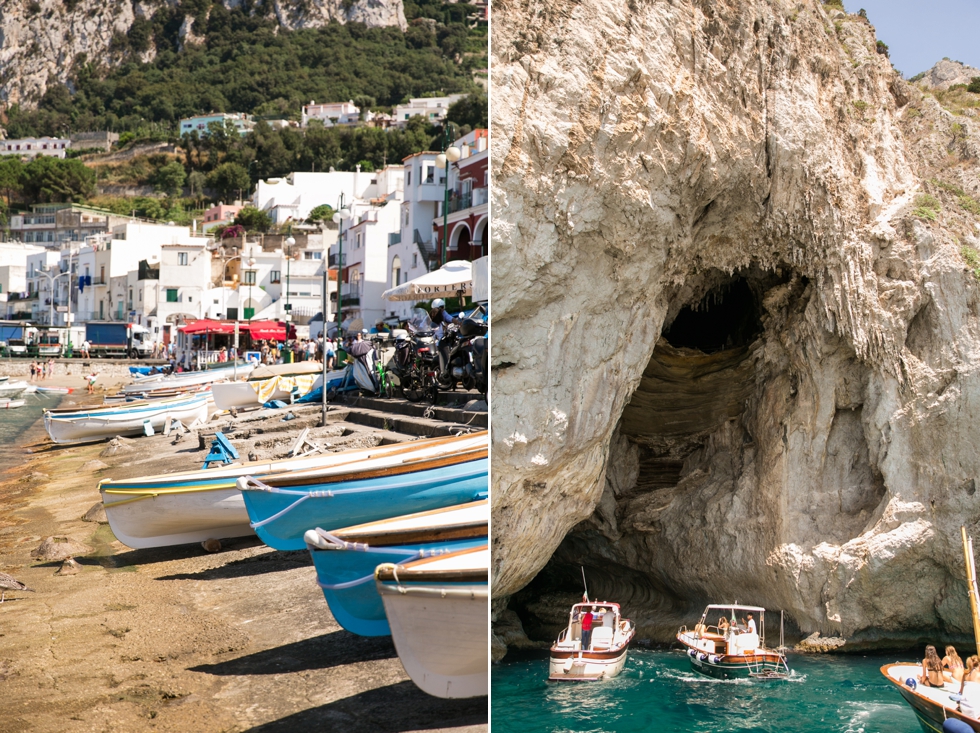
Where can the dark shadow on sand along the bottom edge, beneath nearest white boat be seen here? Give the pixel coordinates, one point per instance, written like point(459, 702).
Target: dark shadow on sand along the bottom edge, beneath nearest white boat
point(390, 709)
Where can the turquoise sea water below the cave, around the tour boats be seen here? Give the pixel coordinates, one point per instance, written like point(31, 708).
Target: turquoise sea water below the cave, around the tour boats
point(658, 692)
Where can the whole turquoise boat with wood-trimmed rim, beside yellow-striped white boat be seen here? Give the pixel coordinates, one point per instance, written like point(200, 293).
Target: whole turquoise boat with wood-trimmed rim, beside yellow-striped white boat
point(283, 507)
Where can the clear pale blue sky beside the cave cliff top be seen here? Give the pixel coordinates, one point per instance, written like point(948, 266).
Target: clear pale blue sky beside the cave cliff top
point(920, 33)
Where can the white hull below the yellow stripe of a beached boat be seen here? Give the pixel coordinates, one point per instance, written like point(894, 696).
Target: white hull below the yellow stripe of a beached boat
point(176, 518)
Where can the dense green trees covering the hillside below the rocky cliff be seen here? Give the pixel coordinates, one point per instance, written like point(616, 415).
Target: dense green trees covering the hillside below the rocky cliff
point(248, 63)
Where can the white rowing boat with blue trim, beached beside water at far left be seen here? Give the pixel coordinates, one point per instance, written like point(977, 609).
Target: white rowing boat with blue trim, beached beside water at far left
point(86, 425)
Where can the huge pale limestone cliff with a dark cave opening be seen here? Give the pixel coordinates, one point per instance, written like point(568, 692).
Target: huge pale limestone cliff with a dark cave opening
point(736, 334)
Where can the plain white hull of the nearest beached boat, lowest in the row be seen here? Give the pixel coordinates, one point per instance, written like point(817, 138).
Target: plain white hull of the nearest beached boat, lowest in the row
point(441, 634)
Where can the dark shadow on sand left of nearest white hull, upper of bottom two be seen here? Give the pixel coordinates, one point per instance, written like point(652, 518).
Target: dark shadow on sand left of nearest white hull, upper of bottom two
point(335, 649)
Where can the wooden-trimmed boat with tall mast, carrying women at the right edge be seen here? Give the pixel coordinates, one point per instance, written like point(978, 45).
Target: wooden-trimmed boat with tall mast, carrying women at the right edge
point(934, 705)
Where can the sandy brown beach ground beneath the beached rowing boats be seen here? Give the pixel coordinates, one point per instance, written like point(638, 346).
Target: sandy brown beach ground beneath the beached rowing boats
point(176, 639)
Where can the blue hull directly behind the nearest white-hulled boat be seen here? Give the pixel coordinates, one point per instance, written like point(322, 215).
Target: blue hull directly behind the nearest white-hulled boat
point(359, 608)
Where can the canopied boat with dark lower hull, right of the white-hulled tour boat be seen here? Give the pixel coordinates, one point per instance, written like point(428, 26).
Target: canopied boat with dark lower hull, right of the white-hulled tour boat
point(731, 652)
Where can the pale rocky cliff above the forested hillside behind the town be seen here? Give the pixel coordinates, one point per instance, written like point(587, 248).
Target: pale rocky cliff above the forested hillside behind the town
point(43, 39)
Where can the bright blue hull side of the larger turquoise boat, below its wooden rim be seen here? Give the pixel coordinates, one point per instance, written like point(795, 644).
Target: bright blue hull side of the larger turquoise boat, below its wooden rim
point(280, 519)
